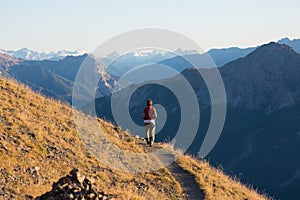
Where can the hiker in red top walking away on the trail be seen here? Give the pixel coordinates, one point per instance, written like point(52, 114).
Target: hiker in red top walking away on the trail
point(149, 116)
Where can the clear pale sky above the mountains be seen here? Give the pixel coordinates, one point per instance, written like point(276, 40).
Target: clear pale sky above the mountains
point(53, 25)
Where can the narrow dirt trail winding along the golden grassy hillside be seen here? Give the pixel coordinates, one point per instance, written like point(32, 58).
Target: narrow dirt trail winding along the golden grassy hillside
point(187, 181)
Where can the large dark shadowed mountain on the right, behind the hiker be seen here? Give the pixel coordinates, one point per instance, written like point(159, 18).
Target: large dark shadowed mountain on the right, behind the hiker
point(261, 133)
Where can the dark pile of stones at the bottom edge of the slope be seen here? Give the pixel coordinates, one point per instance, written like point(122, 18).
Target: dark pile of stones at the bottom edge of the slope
point(75, 186)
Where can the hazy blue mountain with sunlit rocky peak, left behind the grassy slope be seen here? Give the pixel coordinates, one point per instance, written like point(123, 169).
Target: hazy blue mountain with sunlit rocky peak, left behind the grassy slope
point(54, 78)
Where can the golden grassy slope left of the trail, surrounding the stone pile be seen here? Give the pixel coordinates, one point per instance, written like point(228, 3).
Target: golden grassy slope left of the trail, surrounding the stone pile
point(35, 131)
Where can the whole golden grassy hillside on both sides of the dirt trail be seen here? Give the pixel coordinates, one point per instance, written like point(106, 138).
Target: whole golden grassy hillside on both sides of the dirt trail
point(39, 144)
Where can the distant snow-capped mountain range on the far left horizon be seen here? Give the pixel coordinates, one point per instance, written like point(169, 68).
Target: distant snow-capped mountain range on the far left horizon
point(27, 54)
